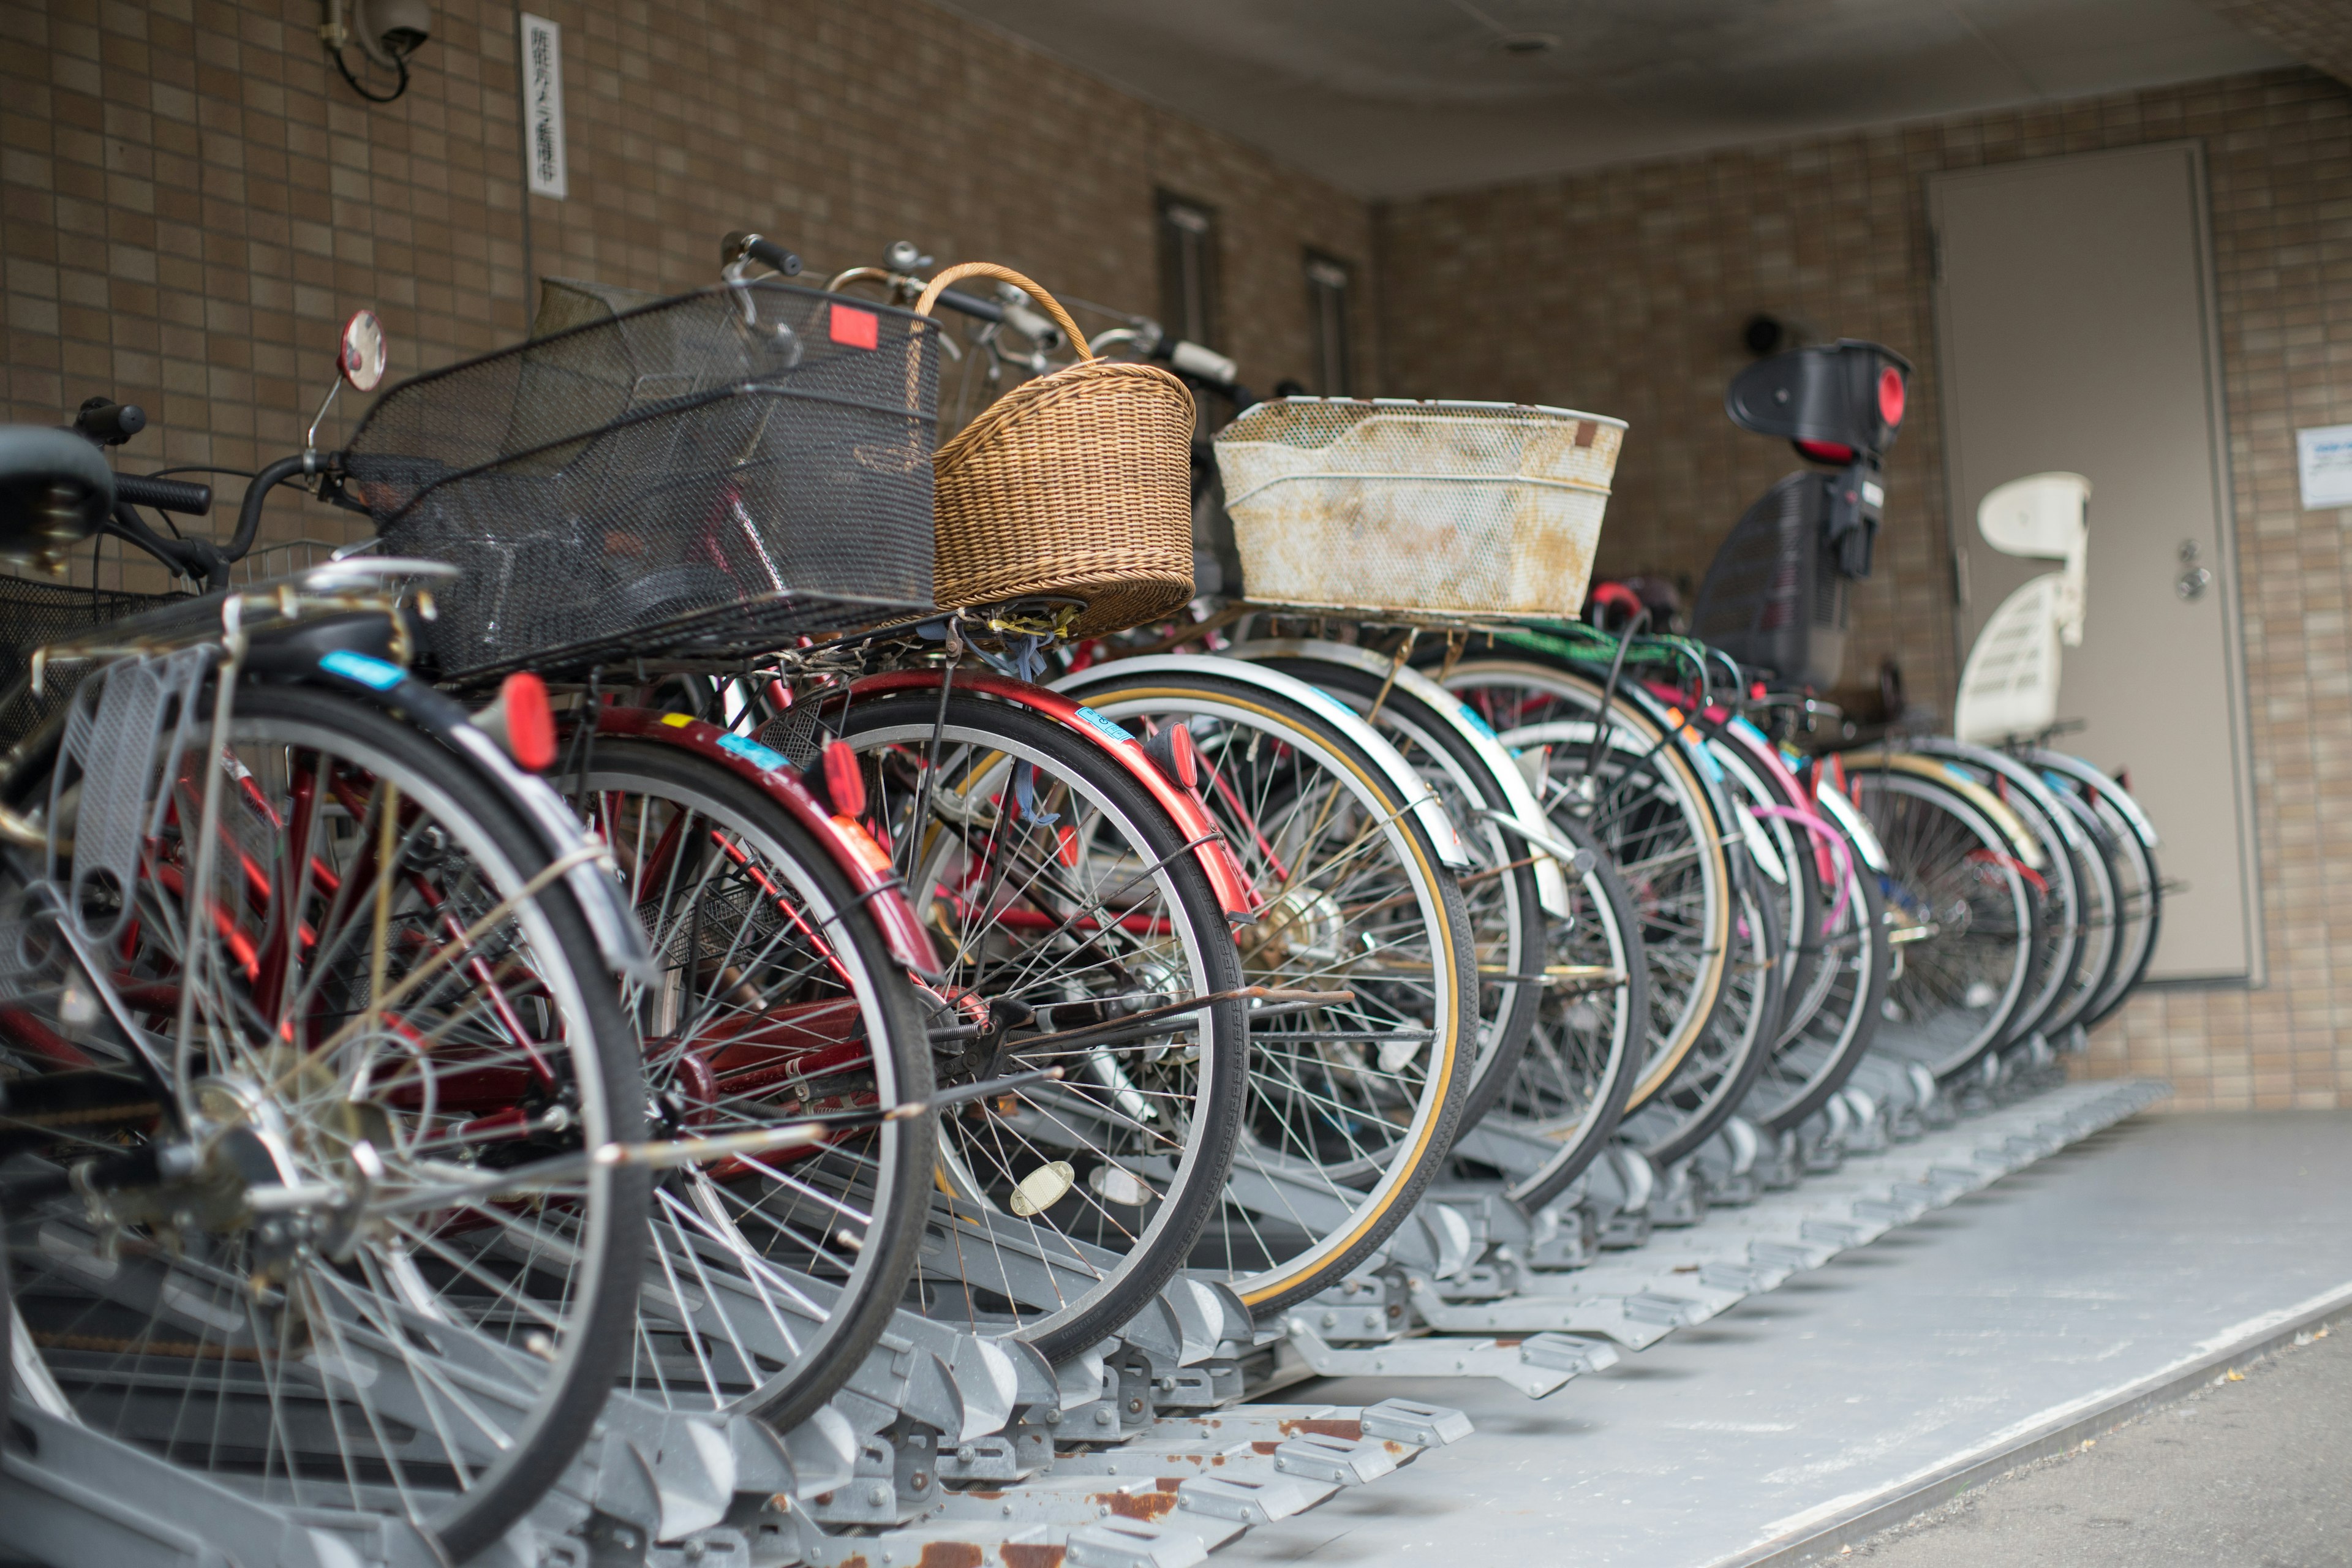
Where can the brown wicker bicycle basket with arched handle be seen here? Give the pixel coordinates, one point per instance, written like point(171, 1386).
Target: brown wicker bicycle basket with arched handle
point(1074, 485)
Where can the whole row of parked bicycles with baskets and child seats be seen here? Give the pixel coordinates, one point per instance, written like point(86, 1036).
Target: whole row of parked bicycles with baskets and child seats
point(733, 880)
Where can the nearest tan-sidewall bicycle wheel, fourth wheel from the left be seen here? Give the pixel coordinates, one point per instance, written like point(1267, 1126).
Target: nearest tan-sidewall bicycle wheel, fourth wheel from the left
point(1351, 1106)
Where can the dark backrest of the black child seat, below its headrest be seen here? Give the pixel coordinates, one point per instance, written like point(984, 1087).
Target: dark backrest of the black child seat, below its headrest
point(1775, 596)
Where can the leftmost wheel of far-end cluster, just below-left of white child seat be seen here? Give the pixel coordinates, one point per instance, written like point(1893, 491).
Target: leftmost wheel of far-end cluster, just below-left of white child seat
point(1963, 918)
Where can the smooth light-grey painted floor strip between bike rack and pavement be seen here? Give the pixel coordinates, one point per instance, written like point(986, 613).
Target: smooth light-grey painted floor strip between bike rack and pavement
point(2127, 1257)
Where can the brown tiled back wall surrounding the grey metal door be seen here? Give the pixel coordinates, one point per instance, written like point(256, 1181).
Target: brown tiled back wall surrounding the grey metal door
point(1624, 290)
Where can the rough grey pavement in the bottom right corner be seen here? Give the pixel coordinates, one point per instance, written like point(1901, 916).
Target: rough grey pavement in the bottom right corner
point(2240, 1473)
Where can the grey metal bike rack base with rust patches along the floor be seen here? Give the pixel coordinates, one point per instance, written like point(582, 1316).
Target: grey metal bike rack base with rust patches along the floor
point(1154, 1449)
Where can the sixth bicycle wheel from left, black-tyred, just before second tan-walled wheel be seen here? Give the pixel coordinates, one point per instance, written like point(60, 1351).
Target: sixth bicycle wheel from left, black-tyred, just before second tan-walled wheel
point(1577, 1073)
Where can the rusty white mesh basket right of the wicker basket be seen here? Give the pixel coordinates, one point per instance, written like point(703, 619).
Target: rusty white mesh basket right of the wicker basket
point(1438, 509)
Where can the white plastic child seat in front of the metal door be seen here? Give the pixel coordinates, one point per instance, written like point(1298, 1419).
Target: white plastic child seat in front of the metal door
point(2010, 685)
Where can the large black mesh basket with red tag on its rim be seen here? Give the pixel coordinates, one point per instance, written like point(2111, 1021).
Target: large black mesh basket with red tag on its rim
point(702, 478)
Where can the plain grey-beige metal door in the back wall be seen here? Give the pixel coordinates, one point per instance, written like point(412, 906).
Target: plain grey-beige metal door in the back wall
point(2076, 333)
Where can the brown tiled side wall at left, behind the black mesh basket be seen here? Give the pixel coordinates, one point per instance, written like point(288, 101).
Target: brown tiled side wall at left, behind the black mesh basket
point(192, 199)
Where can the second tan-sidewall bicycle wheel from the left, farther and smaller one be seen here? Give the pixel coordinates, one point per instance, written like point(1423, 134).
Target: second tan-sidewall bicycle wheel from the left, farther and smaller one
point(1657, 819)
